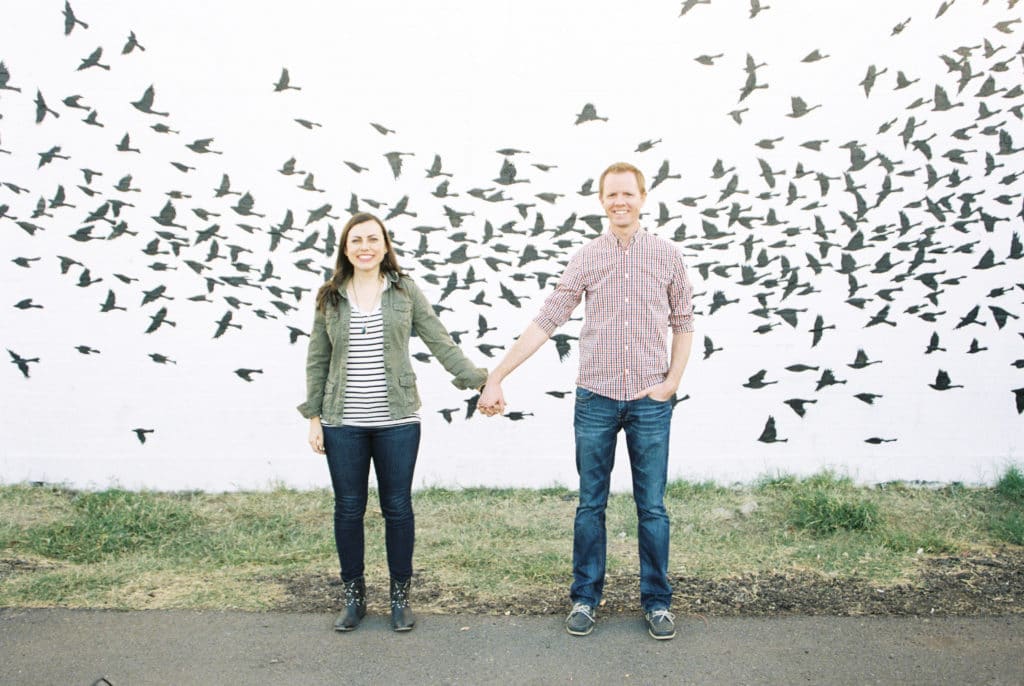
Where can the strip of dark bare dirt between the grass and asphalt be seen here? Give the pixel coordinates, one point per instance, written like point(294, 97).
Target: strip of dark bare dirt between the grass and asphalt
point(957, 586)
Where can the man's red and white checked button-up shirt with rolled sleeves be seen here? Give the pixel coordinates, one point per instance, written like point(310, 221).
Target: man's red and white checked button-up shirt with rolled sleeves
point(633, 296)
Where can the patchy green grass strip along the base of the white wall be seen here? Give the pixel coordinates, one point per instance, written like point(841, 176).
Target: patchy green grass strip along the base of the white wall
point(488, 548)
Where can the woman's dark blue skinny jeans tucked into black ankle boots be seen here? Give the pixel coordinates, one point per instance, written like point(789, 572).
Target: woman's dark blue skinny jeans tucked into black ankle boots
point(394, 450)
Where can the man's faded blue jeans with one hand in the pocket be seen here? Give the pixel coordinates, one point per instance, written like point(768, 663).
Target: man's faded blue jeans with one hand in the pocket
point(647, 424)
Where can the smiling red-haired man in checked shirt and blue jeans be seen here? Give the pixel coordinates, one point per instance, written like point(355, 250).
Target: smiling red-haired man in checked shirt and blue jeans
point(636, 289)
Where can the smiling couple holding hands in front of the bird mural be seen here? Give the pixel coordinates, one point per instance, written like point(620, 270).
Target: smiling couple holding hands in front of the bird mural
point(362, 399)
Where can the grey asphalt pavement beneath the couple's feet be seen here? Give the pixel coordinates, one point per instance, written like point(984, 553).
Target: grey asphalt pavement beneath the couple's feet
point(72, 648)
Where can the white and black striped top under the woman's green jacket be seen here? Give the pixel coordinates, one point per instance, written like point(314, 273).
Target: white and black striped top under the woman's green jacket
point(366, 388)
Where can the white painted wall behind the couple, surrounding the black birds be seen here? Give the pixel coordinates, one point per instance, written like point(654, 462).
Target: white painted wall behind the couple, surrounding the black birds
point(463, 80)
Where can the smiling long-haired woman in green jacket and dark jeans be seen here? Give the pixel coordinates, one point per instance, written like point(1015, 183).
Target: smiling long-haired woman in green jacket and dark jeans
point(362, 402)
